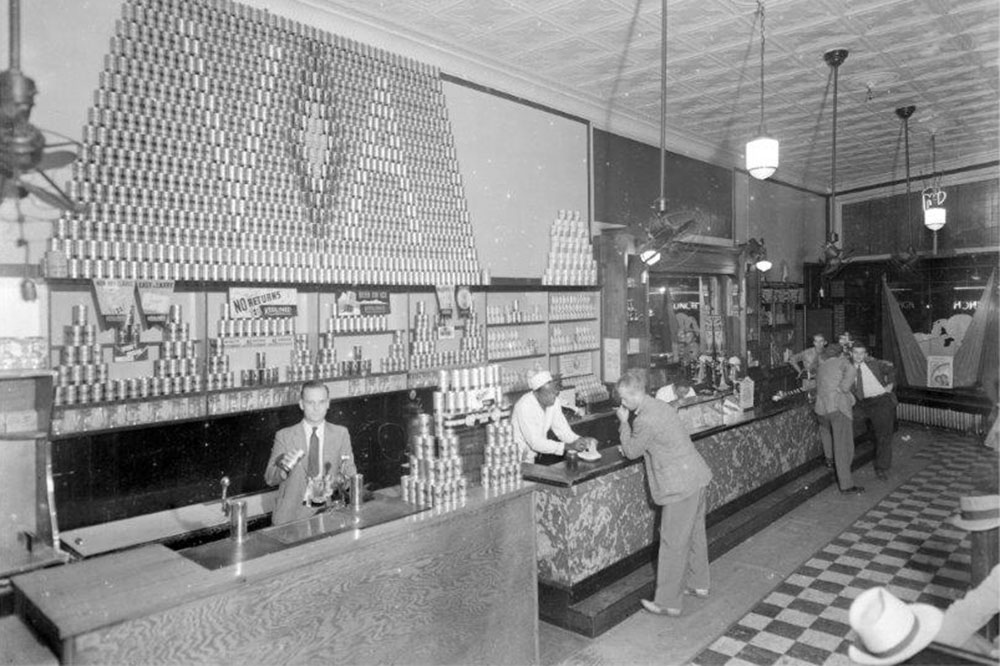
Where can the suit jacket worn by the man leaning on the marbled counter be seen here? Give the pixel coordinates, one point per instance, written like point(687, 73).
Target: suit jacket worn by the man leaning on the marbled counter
point(674, 467)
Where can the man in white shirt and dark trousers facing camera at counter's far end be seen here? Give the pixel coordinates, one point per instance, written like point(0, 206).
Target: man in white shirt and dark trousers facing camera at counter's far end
point(873, 388)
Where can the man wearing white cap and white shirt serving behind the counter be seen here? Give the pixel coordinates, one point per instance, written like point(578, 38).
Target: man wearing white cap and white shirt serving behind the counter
point(537, 413)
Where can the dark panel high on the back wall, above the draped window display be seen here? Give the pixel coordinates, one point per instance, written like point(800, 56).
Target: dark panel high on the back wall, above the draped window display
point(879, 226)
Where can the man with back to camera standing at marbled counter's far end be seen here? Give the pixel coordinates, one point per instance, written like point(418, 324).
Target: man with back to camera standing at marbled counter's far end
point(834, 407)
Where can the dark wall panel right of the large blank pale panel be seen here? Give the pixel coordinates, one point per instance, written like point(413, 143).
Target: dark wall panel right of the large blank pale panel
point(627, 182)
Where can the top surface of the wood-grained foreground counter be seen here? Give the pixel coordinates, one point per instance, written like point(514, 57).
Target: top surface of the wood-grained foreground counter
point(84, 596)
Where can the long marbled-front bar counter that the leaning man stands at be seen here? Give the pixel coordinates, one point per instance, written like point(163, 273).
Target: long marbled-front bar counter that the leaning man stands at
point(595, 523)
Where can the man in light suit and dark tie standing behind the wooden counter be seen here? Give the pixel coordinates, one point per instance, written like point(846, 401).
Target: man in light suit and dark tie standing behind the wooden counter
point(312, 449)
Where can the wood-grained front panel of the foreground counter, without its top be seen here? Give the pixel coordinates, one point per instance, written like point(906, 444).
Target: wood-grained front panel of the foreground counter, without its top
point(462, 591)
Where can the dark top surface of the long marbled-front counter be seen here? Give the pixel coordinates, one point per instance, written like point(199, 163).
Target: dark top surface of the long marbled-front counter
point(612, 458)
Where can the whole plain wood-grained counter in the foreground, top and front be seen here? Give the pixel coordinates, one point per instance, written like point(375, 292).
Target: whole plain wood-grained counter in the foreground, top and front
point(436, 587)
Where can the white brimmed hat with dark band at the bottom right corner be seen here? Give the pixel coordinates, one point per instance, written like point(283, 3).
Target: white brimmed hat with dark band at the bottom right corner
point(891, 631)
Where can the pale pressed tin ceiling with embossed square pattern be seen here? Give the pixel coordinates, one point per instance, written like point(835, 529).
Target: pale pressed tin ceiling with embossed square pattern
point(940, 55)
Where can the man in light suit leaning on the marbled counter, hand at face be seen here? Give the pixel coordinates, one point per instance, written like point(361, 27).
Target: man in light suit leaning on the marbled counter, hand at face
point(678, 477)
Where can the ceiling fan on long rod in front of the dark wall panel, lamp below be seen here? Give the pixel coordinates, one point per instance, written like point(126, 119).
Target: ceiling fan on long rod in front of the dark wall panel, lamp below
point(663, 228)
